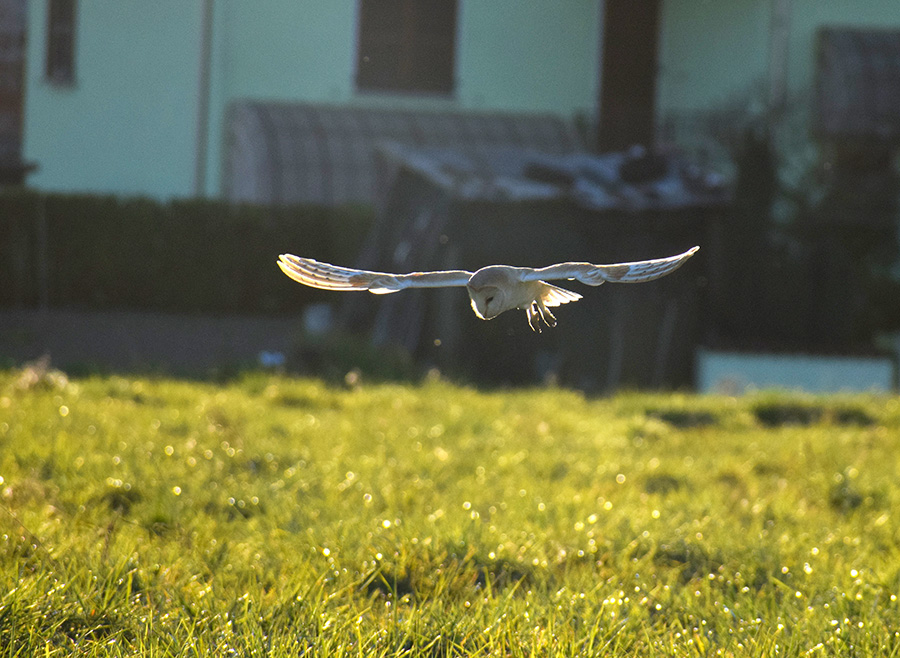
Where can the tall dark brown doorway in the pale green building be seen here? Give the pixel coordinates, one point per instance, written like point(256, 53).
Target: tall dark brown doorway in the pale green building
point(628, 83)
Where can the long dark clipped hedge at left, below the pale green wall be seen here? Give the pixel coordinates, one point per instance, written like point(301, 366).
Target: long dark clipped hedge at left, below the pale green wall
point(195, 256)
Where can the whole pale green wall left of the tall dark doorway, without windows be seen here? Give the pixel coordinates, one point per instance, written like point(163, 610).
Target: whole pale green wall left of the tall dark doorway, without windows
point(129, 123)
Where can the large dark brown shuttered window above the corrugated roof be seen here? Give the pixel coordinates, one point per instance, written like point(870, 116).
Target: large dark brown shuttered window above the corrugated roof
point(406, 46)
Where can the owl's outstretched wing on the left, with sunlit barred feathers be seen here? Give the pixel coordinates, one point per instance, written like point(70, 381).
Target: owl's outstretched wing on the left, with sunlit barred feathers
point(312, 273)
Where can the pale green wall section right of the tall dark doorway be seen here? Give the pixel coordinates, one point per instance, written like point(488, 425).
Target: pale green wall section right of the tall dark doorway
point(714, 68)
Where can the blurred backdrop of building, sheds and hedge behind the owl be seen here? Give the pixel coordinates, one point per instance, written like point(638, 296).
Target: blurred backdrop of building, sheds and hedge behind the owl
point(155, 158)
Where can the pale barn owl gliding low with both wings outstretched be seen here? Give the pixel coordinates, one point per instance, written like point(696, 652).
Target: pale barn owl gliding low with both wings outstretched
point(492, 289)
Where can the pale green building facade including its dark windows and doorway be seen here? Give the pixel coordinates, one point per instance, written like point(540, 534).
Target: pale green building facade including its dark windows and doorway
point(133, 98)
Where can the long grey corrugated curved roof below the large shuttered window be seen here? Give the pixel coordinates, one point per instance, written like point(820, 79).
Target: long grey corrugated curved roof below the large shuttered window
point(280, 153)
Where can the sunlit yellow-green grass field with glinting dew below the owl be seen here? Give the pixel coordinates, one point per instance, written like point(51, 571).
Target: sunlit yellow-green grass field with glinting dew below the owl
point(282, 517)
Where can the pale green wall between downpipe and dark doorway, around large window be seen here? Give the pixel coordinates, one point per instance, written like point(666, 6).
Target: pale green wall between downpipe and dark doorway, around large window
point(522, 55)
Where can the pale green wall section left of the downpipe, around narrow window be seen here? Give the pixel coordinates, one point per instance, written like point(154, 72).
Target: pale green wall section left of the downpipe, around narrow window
point(127, 124)
